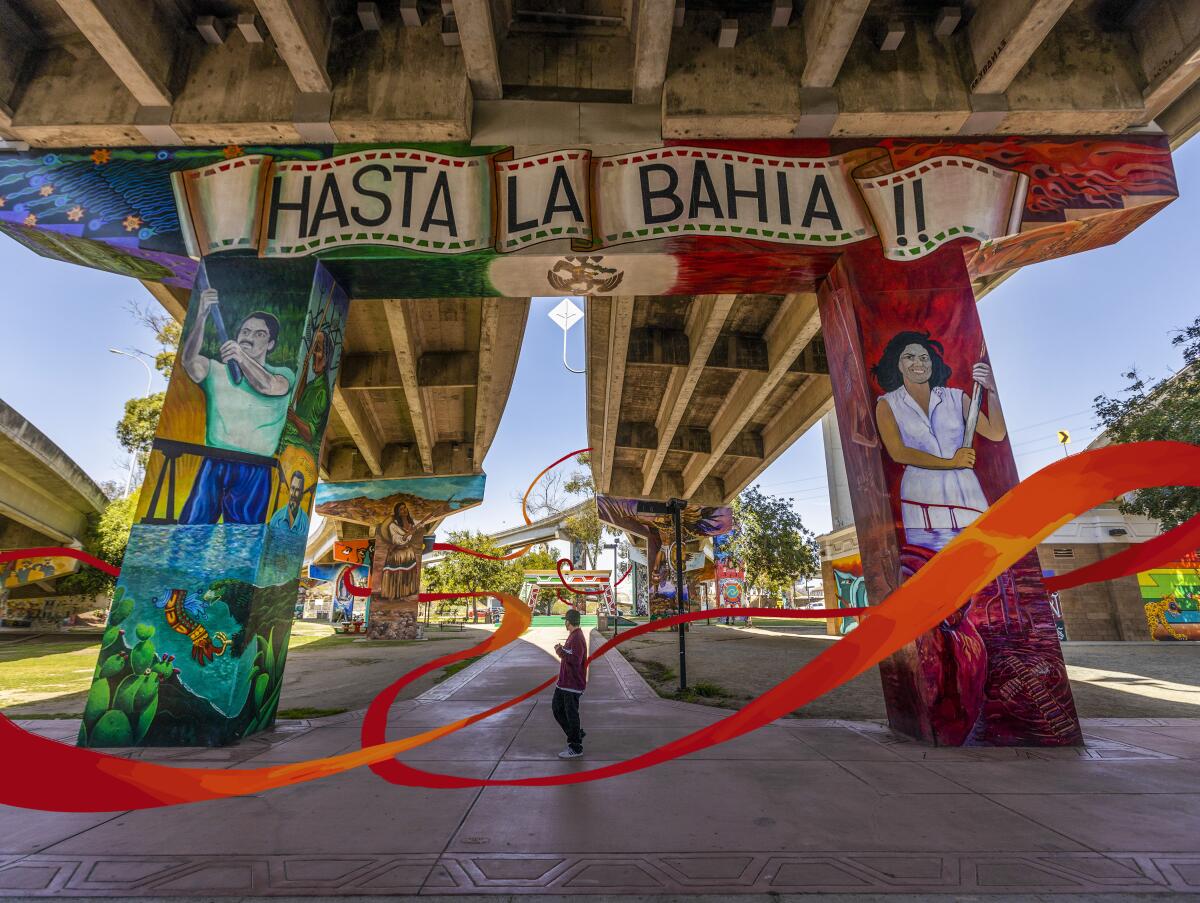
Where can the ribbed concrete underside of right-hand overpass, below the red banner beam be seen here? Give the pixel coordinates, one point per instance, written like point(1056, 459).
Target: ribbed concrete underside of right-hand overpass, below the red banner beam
point(695, 397)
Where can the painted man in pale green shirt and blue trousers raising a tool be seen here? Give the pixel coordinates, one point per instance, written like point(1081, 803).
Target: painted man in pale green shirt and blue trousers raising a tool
point(247, 406)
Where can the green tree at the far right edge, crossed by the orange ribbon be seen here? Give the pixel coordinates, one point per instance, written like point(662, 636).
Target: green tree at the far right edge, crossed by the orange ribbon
point(1160, 410)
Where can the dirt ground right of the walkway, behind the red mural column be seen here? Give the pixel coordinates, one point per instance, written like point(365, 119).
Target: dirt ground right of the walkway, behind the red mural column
point(1111, 680)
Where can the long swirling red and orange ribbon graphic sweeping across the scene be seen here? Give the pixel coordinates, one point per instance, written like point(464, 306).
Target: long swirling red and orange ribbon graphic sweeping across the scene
point(43, 774)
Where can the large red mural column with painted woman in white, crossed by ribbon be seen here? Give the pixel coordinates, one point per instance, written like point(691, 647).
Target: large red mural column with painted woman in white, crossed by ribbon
point(927, 447)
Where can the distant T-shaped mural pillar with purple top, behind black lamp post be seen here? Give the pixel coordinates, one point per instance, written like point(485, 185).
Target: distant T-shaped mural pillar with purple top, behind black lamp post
point(659, 533)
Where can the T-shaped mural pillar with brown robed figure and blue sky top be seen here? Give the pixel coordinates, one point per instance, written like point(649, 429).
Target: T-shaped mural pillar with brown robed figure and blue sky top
point(403, 513)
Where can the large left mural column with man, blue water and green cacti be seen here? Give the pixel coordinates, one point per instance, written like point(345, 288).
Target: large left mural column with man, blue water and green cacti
point(199, 632)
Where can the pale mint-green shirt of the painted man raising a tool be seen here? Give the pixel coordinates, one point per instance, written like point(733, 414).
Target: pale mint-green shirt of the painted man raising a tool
point(239, 417)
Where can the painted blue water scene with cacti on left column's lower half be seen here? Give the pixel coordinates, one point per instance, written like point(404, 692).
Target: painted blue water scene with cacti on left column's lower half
point(187, 662)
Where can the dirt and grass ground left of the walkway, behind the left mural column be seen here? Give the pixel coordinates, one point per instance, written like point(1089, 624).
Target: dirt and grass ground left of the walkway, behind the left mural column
point(325, 672)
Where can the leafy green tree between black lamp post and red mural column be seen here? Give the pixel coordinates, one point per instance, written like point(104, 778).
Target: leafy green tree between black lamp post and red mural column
point(772, 542)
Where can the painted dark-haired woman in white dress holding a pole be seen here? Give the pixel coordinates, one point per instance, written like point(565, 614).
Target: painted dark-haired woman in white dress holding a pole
point(923, 424)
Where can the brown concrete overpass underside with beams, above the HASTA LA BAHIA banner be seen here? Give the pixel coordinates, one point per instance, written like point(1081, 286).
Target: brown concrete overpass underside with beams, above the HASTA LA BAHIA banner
point(527, 73)
